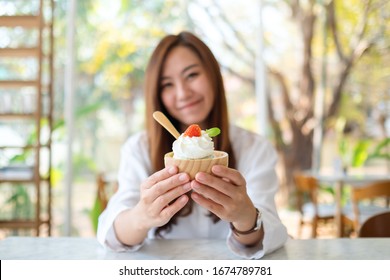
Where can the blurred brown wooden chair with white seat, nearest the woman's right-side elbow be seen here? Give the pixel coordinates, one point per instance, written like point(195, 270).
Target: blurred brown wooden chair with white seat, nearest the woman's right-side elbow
point(311, 212)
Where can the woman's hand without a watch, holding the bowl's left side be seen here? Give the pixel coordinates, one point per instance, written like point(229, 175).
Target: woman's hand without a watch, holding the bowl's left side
point(155, 207)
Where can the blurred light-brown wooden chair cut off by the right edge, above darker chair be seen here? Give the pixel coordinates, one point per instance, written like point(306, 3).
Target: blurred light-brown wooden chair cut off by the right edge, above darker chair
point(358, 212)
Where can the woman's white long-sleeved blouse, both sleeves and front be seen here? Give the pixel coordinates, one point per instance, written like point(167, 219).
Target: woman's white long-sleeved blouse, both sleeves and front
point(255, 159)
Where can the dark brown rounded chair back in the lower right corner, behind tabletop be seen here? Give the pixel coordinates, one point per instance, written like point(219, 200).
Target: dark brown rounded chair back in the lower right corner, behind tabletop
point(376, 226)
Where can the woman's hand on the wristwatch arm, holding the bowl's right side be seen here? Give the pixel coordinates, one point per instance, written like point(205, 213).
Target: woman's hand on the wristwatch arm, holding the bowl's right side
point(224, 193)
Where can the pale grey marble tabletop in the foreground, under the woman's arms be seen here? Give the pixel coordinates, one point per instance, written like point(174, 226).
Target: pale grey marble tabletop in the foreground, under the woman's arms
point(72, 248)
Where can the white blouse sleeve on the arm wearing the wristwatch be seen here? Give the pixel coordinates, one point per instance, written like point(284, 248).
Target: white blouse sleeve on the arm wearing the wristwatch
point(256, 160)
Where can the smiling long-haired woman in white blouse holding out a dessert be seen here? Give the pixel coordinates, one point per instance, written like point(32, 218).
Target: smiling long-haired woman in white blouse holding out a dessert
point(236, 202)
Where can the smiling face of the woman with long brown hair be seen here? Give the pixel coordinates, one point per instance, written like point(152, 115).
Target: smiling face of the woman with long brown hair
point(185, 88)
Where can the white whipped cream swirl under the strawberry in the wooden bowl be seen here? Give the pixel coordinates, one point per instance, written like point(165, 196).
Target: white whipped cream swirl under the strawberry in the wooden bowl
point(186, 147)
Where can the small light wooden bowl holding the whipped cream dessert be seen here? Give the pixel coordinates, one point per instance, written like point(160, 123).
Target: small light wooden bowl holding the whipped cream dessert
point(193, 166)
